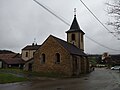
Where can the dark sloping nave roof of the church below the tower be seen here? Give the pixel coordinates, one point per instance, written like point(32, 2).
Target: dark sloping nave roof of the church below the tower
point(70, 47)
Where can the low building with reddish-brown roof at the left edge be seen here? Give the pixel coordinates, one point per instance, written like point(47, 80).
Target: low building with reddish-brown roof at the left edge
point(11, 60)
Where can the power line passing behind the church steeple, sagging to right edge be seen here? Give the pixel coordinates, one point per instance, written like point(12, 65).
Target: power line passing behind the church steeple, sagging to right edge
point(51, 11)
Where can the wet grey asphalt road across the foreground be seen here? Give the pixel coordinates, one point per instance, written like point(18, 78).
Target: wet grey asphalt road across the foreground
point(100, 79)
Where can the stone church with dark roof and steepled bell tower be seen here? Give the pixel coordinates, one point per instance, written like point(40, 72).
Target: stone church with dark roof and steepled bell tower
point(60, 56)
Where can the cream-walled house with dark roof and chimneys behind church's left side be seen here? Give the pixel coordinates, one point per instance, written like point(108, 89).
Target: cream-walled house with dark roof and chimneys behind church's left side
point(28, 51)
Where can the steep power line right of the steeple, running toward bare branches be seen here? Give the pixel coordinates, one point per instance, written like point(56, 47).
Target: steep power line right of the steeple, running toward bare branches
point(96, 18)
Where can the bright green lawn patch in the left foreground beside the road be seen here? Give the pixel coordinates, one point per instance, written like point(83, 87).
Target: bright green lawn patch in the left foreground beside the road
point(9, 78)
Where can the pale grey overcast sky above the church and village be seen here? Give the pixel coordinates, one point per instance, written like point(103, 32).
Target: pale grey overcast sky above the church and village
point(23, 20)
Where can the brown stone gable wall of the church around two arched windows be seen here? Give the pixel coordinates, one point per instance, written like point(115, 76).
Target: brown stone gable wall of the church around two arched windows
point(50, 47)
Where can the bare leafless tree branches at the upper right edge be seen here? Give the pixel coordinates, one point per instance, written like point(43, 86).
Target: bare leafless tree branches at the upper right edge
point(114, 11)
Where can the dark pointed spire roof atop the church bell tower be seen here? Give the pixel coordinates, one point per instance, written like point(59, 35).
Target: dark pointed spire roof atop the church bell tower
point(75, 26)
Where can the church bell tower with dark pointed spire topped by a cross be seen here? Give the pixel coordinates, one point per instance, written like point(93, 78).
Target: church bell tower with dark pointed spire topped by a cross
point(75, 35)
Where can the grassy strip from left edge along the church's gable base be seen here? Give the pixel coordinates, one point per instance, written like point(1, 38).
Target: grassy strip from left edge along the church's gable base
point(11, 75)
